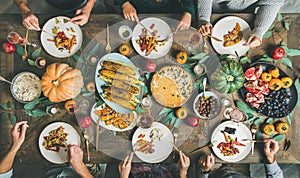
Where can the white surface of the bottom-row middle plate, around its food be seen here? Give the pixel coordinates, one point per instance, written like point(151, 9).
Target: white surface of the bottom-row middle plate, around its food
point(162, 148)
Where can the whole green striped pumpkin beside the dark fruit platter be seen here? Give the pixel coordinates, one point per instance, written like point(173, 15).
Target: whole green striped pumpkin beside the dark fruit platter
point(229, 77)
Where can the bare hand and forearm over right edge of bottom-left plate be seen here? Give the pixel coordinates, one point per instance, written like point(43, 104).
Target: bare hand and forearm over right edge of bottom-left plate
point(76, 161)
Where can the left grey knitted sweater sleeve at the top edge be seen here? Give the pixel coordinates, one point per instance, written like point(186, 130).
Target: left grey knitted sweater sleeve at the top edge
point(204, 11)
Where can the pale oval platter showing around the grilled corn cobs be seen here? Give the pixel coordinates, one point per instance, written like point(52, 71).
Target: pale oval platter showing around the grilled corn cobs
point(99, 82)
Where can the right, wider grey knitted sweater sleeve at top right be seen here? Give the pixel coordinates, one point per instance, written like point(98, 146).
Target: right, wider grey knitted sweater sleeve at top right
point(266, 14)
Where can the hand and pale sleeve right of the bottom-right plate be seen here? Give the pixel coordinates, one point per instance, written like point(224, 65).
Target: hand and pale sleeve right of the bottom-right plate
point(270, 149)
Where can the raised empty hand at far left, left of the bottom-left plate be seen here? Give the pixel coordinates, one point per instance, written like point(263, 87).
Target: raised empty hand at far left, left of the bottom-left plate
point(18, 134)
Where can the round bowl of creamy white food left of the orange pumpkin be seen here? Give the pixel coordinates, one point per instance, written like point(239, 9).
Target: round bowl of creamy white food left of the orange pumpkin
point(26, 87)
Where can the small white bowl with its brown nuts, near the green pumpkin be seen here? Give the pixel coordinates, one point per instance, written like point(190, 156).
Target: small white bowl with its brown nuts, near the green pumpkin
point(208, 106)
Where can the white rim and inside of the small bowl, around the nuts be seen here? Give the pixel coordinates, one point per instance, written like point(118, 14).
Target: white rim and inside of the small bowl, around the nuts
point(207, 94)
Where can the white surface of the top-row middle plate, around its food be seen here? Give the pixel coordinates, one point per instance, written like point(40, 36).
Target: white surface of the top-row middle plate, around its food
point(163, 32)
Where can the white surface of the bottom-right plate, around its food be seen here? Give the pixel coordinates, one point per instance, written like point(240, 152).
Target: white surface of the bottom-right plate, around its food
point(242, 132)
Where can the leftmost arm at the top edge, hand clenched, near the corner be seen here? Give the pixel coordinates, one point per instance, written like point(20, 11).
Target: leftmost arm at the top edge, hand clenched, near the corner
point(30, 21)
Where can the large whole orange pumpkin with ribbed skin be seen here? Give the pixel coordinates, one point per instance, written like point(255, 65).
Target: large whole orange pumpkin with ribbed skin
point(61, 82)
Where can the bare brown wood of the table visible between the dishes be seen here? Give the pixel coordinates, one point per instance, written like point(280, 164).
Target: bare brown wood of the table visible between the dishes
point(187, 138)
